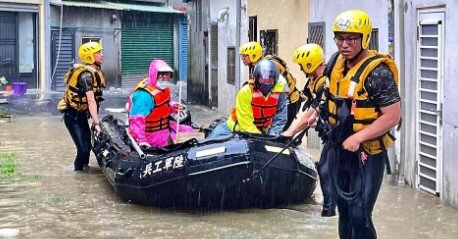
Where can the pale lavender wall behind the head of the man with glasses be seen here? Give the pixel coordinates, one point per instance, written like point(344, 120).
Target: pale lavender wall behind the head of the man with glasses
point(327, 11)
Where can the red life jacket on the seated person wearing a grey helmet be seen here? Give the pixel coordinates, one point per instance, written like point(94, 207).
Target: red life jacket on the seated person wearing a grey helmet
point(264, 109)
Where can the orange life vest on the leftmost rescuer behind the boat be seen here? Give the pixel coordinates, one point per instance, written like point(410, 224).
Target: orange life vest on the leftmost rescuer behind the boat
point(74, 96)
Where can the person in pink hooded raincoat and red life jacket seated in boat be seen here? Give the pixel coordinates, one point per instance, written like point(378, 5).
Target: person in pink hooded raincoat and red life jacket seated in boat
point(150, 107)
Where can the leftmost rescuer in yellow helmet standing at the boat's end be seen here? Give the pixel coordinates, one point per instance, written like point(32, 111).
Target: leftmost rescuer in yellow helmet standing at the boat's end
point(83, 94)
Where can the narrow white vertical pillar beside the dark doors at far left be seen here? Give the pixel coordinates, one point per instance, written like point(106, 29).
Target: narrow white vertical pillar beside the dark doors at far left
point(44, 60)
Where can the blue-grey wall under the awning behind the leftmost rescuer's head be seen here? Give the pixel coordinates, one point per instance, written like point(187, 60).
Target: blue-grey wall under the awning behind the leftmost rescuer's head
point(87, 22)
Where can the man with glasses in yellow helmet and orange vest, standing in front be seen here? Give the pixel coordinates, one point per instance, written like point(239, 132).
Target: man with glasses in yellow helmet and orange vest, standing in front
point(363, 105)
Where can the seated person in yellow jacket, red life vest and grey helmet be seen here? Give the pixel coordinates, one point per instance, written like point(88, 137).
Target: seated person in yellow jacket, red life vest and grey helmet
point(260, 107)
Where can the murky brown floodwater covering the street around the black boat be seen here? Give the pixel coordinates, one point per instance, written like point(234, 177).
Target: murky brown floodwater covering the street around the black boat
point(52, 201)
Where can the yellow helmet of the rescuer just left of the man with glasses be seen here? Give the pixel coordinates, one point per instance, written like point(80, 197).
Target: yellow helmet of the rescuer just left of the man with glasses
point(309, 56)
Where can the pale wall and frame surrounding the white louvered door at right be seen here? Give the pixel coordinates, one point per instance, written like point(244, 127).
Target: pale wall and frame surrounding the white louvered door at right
point(450, 84)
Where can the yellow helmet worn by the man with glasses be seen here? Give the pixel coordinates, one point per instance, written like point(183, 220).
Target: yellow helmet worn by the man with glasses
point(354, 21)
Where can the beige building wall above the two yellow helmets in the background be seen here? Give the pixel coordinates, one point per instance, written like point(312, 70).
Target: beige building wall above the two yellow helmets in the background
point(292, 27)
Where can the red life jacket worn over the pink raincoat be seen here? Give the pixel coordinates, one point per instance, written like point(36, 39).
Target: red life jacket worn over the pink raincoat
point(158, 119)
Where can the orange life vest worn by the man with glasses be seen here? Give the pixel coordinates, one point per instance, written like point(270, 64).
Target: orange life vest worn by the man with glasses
point(365, 111)
